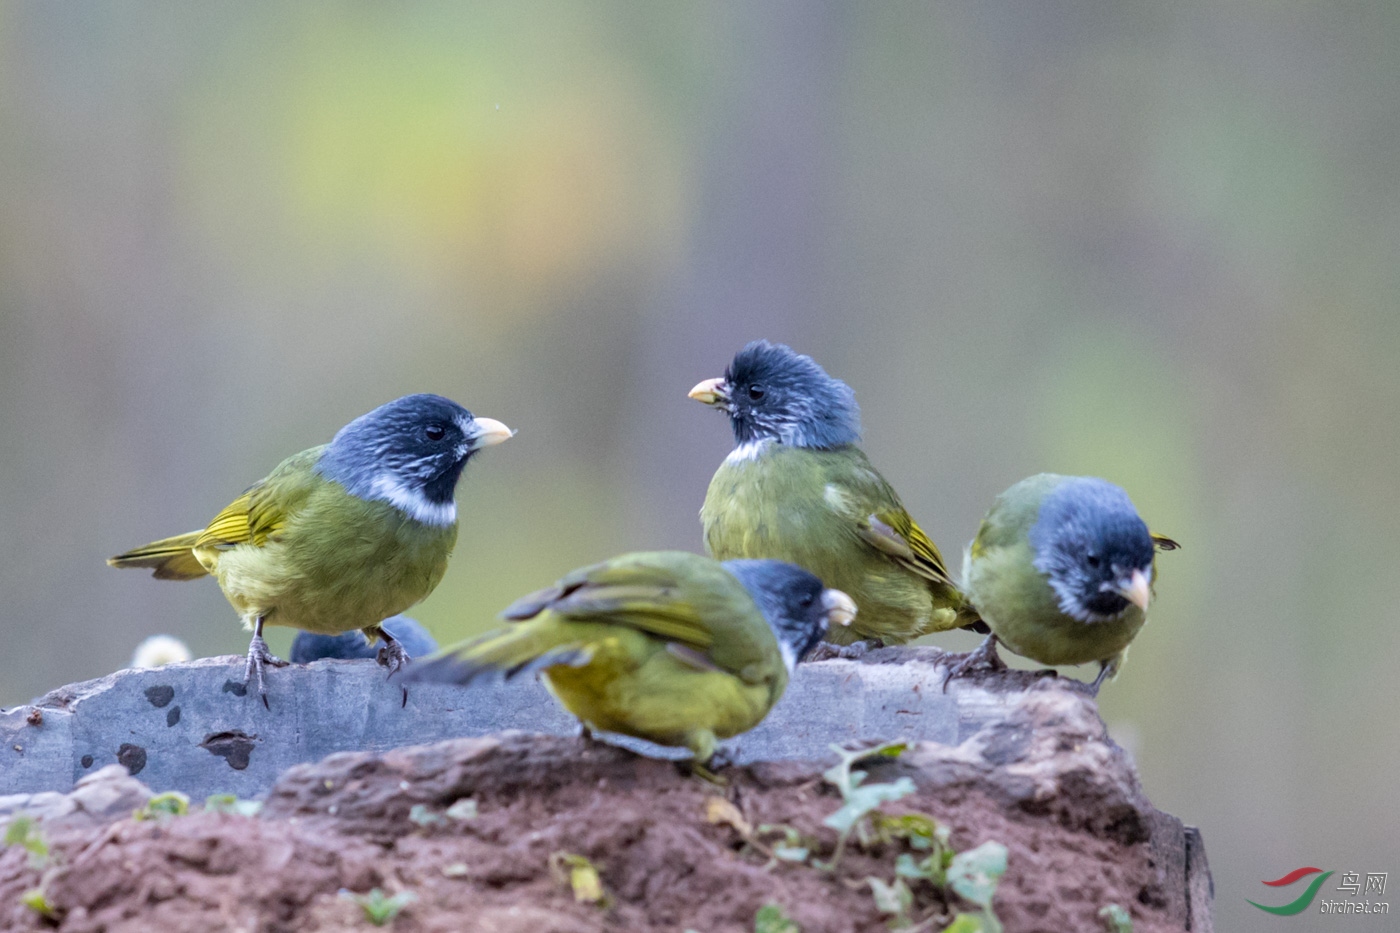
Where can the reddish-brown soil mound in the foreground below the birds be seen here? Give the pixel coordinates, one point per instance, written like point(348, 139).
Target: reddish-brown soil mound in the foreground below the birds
point(344, 824)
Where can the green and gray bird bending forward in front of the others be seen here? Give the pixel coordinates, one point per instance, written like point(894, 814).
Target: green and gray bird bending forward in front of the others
point(666, 647)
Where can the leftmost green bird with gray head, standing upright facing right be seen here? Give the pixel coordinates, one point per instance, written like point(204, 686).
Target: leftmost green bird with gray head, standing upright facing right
point(339, 537)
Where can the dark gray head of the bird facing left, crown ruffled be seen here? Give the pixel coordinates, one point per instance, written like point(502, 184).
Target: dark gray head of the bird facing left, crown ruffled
point(773, 393)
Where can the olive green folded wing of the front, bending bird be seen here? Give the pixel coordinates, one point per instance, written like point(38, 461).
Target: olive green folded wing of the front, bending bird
point(703, 613)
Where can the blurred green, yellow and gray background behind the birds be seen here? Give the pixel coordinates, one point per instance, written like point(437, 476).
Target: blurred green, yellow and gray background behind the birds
point(1156, 243)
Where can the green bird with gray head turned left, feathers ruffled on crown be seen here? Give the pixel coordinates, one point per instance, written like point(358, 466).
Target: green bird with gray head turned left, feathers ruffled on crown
point(797, 488)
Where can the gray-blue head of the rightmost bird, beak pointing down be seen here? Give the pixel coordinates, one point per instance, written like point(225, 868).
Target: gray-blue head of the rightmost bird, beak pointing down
point(1094, 548)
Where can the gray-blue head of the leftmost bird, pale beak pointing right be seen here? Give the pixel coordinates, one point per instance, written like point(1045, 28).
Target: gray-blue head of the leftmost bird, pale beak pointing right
point(411, 455)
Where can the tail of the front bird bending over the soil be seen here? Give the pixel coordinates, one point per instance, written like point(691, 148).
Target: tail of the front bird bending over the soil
point(521, 649)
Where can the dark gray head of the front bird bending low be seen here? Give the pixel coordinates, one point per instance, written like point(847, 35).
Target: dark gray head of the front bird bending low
point(794, 603)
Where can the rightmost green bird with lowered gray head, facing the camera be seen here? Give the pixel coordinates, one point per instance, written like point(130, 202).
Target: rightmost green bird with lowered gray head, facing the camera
point(1062, 571)
